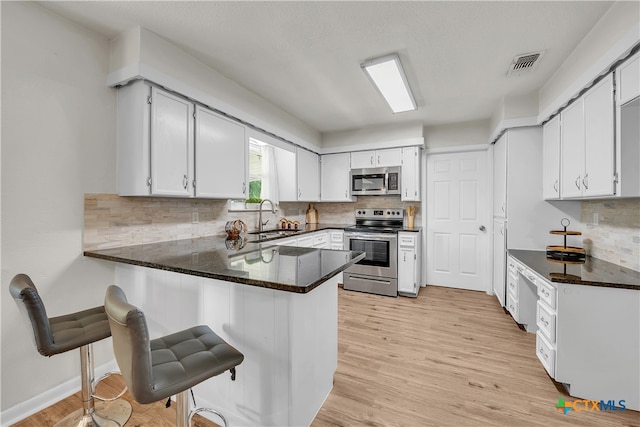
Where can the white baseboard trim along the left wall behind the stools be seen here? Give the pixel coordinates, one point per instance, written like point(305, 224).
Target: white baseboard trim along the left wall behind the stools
point(44, 400)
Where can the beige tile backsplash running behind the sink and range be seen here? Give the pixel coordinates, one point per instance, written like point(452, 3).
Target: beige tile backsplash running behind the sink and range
point(113, 221)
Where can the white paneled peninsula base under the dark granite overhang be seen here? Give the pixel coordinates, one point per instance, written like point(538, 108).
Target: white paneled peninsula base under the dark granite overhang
point(290, 340)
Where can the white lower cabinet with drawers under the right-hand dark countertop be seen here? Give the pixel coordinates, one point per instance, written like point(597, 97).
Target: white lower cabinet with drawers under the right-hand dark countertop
point(587, 337)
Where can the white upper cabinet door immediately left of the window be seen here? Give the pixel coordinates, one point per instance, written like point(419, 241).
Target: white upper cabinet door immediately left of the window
point(220, 157)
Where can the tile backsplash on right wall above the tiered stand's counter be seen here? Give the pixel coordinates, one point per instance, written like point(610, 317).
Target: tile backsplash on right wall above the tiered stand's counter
point(616, 236)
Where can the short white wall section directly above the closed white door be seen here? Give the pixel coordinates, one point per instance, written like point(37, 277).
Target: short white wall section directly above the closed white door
point(457, 135)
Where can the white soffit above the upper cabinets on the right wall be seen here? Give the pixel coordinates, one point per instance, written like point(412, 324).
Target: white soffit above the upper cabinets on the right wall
point(614, 35)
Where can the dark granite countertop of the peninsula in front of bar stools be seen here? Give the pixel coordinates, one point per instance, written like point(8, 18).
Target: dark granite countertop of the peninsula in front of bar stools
point(285, 268)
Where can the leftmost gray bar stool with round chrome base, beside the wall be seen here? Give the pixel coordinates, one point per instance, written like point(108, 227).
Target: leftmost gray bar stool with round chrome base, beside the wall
point(60, 334)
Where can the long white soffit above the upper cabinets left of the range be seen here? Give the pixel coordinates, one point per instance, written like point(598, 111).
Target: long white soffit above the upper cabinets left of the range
point(139, 52)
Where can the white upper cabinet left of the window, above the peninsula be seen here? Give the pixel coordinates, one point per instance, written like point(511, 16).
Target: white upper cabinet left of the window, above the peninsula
point(166, 146)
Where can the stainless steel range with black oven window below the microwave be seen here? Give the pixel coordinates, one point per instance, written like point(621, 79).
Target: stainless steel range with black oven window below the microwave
point(375, 234)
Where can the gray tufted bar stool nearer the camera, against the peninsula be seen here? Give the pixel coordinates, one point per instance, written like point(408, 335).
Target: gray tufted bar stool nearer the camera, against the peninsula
point(157, 369)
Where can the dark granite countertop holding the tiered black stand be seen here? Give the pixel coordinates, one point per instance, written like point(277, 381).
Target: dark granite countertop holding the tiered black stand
point(594, 271)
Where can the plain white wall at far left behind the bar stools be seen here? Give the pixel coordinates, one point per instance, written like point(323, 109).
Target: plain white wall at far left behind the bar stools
point(58, 142)
